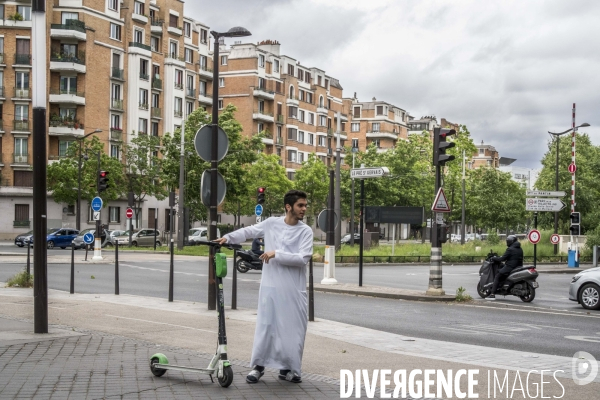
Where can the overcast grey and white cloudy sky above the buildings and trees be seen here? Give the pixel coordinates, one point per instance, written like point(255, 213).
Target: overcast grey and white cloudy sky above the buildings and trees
point(508, 70)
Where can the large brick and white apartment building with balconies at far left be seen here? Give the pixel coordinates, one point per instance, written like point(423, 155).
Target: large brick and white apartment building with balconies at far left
point(127, 68)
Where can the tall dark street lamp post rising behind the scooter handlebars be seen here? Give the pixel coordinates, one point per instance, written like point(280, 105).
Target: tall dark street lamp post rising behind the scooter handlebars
point(212, 231)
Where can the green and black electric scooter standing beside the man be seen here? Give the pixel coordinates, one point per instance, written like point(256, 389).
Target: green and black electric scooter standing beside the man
point(219, 365)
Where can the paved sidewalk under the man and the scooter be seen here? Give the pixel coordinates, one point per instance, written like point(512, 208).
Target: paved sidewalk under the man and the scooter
point(99, 347)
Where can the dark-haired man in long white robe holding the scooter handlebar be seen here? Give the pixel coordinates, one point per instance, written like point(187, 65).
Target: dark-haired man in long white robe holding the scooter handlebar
point(282, 307)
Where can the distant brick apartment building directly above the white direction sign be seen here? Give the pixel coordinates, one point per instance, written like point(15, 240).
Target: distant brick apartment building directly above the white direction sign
point(377, 122)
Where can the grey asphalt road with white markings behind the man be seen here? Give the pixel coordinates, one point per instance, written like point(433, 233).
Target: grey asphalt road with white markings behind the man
point(551, 324)
